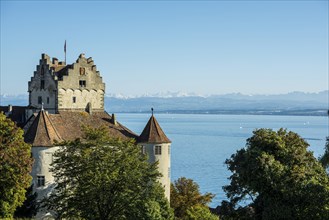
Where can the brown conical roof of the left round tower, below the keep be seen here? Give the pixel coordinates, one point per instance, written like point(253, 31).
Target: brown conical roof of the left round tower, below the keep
point(42, 132)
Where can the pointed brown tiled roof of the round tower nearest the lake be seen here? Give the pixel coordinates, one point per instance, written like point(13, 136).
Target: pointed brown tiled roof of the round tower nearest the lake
point(153, 133)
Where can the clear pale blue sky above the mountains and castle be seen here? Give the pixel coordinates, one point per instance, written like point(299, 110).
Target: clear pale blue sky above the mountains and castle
point(203, 47)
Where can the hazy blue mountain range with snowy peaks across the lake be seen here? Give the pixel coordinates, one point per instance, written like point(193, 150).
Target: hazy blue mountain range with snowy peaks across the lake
point(294, 103)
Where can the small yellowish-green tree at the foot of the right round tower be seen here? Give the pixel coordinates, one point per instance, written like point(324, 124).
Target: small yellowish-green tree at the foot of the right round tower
point(185, 196)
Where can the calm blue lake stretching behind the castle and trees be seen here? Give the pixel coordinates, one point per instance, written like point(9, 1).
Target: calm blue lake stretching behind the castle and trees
point(201, 143)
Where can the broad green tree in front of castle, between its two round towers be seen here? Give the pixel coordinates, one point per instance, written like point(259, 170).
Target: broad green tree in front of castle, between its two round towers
point(99, 177)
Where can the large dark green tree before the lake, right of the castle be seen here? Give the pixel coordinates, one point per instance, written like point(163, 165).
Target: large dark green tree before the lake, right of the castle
point(280, 178)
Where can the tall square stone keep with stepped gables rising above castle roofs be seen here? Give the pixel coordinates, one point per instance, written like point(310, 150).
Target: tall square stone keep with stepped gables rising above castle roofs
point(74, 87)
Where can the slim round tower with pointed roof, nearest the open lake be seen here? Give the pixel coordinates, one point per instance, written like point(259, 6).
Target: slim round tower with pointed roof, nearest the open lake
point(156, 145)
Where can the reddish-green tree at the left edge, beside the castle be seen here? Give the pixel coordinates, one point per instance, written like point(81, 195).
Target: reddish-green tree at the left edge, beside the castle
point(15, 167)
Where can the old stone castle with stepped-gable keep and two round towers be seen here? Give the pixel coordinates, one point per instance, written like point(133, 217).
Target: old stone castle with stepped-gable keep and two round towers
point(62, 98)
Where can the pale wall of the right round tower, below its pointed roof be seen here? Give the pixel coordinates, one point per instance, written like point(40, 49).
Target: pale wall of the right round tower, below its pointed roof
point(164, 166)
